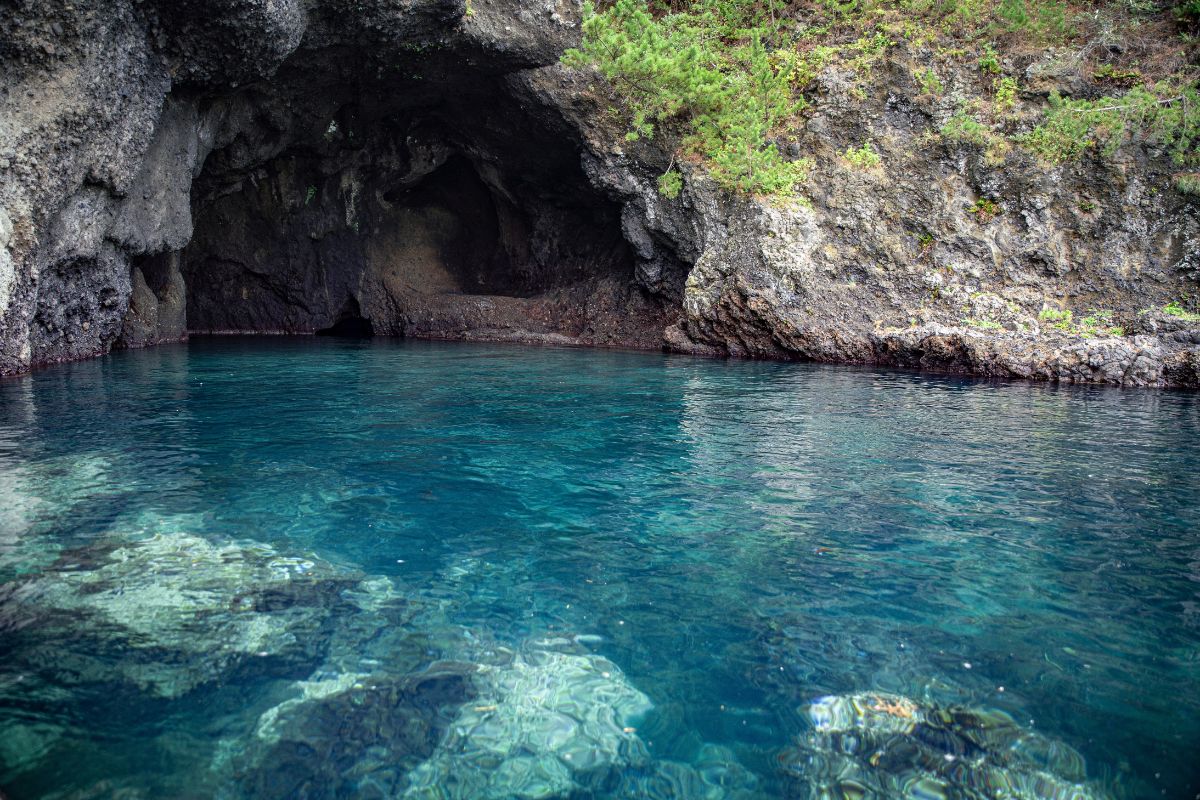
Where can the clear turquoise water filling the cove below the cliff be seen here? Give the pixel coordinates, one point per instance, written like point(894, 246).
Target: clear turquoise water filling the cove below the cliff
point(334, 569)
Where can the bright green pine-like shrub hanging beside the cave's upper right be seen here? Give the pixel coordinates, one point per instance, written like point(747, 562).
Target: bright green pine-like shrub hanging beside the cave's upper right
point(729, 98)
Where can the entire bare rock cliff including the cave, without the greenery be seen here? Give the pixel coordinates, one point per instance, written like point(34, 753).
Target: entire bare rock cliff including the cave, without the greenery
point(429, 170)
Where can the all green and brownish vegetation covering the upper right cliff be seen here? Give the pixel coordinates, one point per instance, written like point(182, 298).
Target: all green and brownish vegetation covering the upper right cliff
point(729, 82)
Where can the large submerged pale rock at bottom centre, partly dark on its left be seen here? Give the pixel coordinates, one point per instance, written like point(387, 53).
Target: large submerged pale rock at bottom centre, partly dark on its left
point(533, 724)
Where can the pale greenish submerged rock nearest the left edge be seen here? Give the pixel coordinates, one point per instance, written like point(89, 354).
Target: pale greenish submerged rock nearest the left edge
point(179, 609)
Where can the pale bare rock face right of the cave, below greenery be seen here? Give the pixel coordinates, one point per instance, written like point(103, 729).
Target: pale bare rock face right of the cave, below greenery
point(892, 264)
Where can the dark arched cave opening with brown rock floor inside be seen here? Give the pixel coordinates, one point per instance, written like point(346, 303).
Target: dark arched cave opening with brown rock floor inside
point(429, 195)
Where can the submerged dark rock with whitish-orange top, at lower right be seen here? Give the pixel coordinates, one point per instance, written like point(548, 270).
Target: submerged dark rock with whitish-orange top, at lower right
point(881, 745)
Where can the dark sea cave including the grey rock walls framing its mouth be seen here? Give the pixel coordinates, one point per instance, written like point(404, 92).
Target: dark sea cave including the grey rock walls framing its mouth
point(418, 169)
